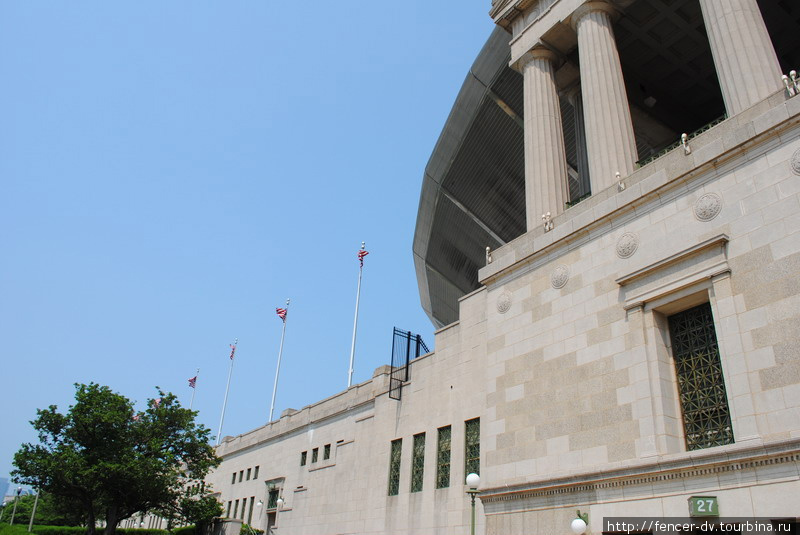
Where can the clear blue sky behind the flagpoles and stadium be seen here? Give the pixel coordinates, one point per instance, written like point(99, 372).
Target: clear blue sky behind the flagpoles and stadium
point(172, 171)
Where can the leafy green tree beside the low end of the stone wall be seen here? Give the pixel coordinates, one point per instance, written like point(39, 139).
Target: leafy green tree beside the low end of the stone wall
point(110, 461)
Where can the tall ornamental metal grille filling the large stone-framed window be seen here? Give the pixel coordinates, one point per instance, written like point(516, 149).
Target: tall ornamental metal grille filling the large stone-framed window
point(701, 386)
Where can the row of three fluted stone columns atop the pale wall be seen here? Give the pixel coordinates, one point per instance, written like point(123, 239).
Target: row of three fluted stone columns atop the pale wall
point(746, 64)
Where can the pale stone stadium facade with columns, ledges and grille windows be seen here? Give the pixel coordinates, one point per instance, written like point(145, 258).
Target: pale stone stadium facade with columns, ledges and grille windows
point(621, 355)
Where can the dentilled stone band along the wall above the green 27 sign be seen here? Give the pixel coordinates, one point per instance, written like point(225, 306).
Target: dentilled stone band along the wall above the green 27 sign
point(772, 461)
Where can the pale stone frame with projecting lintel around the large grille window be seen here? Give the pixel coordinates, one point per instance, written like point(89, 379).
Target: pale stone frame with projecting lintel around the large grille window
point(687, 278)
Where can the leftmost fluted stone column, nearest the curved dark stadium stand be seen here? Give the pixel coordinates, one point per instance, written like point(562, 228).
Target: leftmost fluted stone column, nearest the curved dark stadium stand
point(545, 157)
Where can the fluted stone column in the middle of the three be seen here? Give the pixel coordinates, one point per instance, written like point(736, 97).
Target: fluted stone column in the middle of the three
point(610, 143)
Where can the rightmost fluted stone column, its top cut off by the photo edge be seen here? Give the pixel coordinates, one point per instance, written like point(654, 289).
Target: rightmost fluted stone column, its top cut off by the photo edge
point(744, 57)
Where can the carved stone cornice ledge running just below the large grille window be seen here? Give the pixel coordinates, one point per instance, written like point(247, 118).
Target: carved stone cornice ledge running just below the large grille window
point(688, 466)
